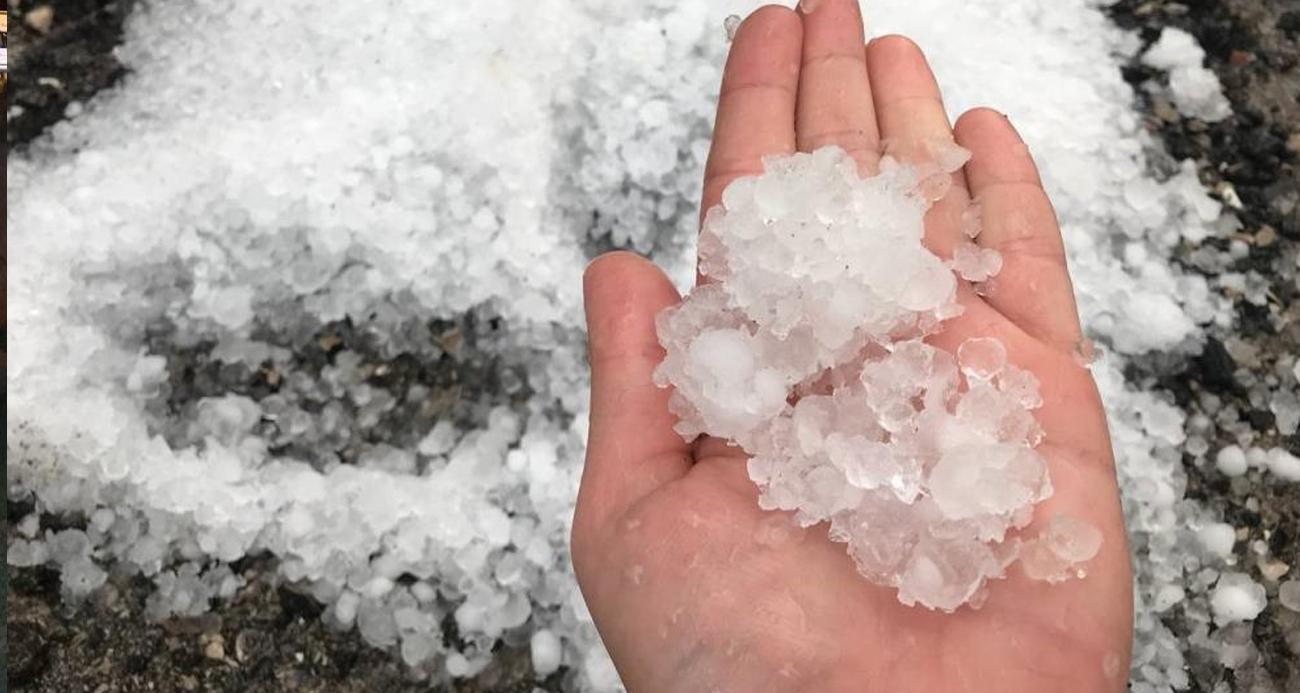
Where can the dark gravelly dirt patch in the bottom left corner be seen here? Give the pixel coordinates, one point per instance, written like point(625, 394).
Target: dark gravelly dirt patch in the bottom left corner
point(268, 638)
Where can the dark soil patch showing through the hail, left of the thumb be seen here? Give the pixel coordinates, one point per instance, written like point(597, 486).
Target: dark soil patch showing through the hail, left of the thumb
point(461, 374)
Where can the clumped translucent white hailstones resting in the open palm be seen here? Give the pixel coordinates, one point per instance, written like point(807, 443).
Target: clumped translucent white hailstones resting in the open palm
point(807, 349)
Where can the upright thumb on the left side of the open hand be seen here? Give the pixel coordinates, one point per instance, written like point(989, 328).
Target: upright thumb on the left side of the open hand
point(632, 448)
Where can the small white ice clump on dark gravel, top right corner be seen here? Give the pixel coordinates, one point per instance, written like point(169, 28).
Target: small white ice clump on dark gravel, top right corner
point(1197, 92)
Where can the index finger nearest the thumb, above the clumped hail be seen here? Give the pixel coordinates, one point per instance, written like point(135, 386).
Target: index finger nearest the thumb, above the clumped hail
point(756, 107)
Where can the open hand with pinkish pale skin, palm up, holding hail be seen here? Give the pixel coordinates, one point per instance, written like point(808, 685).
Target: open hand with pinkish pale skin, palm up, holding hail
point(668, 534)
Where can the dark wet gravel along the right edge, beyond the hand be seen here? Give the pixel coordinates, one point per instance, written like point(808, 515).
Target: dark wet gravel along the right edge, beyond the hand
point(1254, 46)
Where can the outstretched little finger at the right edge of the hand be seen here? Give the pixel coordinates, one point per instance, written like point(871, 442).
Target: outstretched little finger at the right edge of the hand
point(1034, 287)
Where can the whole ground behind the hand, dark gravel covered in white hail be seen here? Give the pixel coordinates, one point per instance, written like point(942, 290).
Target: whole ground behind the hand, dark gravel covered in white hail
point(263, 322)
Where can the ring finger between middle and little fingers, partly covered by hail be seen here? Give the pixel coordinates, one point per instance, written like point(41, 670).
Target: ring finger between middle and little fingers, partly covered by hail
point(912, 118)
